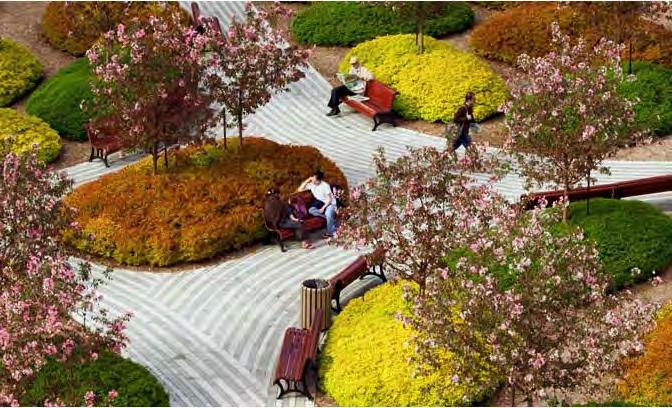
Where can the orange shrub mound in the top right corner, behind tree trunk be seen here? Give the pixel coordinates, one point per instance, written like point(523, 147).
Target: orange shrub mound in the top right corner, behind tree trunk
point(527, 29)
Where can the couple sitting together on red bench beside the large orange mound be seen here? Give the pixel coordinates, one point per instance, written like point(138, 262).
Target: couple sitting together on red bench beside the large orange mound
point(292, 213)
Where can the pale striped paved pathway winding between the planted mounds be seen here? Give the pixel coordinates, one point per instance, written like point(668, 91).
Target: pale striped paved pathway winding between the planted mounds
point(211, 335)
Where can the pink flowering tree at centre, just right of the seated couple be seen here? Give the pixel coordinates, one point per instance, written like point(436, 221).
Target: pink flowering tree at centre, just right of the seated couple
point(415, 206)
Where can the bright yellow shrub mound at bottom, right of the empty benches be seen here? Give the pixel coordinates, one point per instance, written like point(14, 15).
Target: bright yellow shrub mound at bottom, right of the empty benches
point(364, 362)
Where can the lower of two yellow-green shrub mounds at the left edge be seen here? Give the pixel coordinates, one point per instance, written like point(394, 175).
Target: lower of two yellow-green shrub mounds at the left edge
point(19, 132)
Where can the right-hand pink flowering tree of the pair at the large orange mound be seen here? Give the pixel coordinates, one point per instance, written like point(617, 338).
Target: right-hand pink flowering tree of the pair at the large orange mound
point(251, 61)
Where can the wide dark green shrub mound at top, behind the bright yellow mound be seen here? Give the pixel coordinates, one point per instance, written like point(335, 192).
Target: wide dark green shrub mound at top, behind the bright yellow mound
point(349, 23)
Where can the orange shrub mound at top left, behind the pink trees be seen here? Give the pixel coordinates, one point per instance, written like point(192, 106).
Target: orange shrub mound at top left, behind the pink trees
point(74, 26)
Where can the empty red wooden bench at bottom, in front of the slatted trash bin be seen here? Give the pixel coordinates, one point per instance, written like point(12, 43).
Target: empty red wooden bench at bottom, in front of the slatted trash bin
point(298, 358)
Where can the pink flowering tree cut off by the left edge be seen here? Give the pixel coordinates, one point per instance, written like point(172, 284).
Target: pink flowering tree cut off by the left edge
point(49, 308)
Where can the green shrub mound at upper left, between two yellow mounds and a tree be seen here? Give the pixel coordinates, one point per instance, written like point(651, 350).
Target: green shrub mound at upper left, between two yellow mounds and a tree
point(58, 101)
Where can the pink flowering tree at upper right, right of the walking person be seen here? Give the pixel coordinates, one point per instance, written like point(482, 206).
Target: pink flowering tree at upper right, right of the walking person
point(568, 115)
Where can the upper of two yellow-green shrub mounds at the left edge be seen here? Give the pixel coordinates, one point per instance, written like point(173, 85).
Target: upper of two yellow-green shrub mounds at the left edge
point(20, 71)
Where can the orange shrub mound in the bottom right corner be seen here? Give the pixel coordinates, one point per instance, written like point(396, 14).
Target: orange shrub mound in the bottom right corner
point(648, 379)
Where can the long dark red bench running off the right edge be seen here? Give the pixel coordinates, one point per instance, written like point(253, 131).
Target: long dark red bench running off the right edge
point(630, 188)
